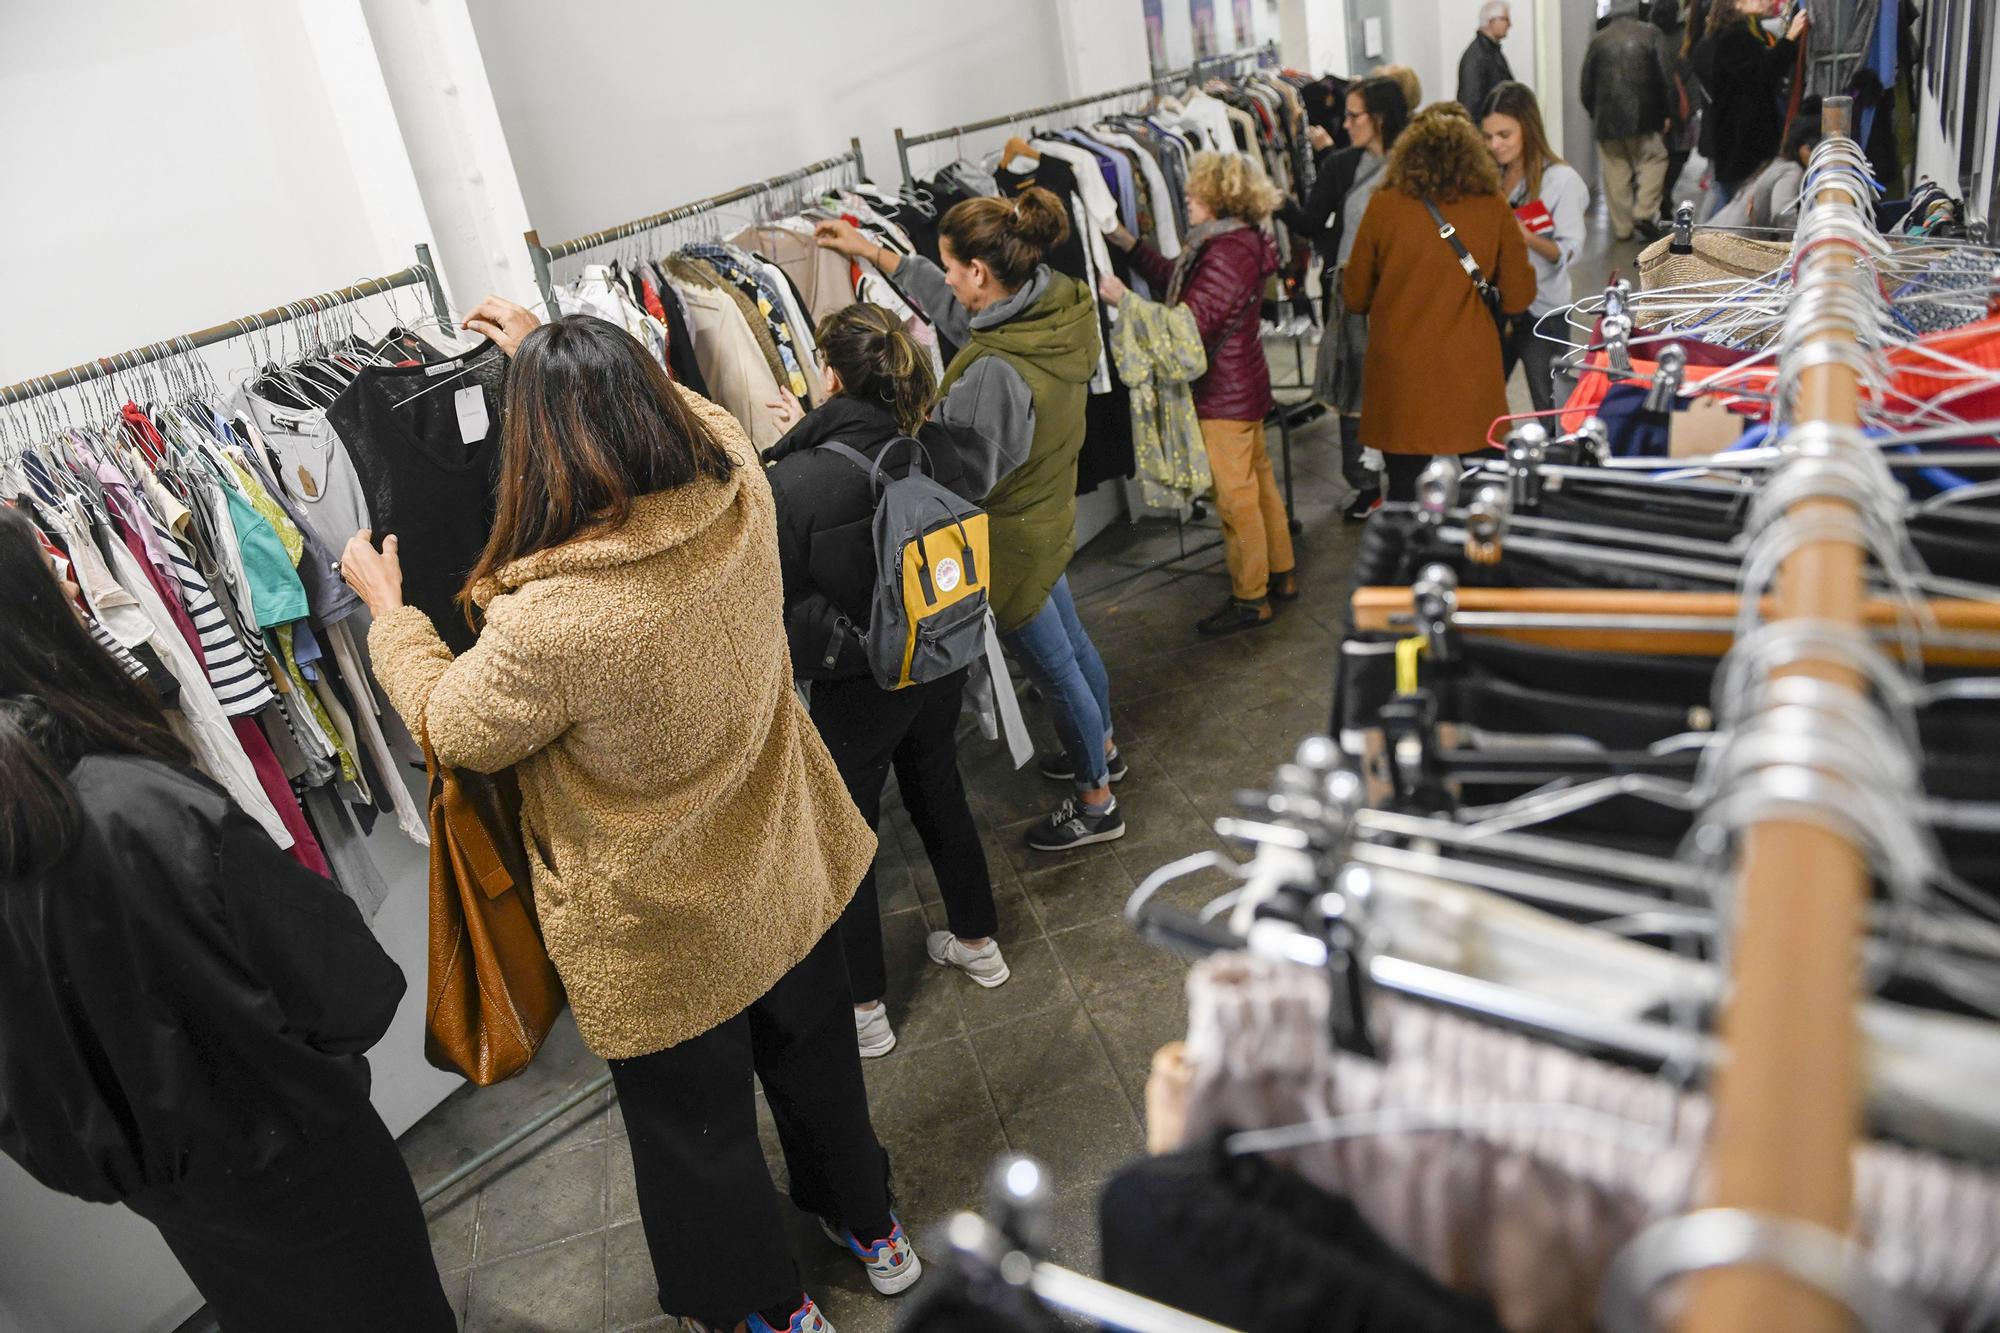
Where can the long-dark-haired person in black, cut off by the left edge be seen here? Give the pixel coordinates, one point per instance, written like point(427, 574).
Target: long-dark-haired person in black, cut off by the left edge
point(185, 1012)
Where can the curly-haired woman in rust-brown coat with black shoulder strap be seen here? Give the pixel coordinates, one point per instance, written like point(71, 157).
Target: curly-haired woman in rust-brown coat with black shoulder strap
point(1433, 379)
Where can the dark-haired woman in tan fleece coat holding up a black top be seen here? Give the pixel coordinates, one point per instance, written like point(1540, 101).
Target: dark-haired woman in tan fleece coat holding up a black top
point(689, 836)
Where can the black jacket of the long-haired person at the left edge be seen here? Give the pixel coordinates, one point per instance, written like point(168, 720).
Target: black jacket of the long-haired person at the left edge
point(179, 1000)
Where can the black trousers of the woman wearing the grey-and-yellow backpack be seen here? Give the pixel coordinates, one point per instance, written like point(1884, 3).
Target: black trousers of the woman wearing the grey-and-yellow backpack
point(915, 730)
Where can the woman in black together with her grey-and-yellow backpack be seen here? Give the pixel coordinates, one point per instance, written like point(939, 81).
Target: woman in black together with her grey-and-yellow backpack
point(851, 481)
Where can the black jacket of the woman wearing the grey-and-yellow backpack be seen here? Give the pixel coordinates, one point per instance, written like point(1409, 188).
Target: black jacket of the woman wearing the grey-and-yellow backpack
point(827, 521)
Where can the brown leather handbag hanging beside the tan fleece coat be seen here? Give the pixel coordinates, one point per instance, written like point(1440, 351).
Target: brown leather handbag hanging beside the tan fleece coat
point(493, 992)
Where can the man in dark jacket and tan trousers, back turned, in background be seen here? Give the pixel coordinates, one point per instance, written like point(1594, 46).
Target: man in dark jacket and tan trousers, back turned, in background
point(1627, 87)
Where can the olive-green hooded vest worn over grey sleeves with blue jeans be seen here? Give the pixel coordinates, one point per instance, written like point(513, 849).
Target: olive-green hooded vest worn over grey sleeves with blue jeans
point(1053, 347)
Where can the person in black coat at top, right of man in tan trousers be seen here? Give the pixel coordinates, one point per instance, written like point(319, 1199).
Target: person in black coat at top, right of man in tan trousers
point(1745, 73)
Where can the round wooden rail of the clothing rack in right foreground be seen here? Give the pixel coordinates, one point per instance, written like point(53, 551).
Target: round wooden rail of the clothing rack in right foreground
point(1789, 1094)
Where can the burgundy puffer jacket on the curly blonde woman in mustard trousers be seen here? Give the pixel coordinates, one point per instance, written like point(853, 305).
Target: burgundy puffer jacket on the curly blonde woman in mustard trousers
point(1225, 289)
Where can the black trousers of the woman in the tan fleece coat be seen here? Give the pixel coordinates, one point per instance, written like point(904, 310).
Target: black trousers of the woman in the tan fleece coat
point(705, 1196)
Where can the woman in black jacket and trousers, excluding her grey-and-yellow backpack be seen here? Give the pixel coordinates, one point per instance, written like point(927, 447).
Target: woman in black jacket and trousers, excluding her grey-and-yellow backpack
point(879, 389)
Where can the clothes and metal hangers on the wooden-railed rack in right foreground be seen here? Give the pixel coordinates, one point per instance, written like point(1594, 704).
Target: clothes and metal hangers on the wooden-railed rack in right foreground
point(1453, 1026)
